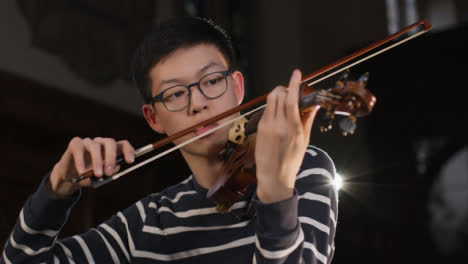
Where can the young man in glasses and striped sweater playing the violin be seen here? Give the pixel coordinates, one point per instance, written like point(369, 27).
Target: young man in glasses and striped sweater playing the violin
point(185, 71)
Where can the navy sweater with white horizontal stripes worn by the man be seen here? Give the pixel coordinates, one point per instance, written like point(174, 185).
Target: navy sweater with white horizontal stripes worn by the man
point(179, 225)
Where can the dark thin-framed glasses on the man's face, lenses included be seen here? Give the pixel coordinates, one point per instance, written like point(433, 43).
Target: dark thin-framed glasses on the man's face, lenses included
point(177, 98)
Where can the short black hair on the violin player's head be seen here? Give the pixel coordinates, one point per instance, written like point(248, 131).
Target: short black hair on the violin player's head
point(170, 36)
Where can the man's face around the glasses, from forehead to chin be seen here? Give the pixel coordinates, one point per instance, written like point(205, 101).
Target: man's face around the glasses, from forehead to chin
point(183, 67)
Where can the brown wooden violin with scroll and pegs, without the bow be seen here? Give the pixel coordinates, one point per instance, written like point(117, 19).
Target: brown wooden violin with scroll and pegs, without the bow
point(349, 99)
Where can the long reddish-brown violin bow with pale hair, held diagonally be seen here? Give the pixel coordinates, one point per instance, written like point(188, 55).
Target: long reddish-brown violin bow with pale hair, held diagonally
point(426, 26)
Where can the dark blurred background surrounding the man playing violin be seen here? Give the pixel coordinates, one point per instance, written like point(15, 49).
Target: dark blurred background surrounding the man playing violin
point(64, 73)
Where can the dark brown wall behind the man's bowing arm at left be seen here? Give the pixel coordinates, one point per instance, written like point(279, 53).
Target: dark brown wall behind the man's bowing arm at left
point(37, 124)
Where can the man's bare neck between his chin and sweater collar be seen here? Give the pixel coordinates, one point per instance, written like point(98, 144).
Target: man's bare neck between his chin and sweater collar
point(205, 169)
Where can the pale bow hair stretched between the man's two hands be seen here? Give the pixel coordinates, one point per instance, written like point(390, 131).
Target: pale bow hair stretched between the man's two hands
point(136, 166)
